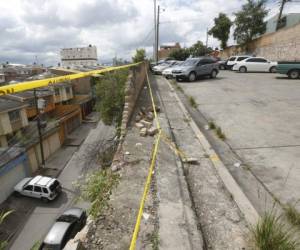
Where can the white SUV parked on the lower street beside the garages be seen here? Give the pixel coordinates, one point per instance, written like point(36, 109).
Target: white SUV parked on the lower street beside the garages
point(41, 187)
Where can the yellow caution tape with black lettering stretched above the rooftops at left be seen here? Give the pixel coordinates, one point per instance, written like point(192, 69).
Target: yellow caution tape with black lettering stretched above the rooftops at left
point(18, 87)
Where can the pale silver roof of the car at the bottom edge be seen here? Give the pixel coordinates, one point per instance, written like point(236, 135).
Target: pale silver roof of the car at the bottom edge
point(56, 233)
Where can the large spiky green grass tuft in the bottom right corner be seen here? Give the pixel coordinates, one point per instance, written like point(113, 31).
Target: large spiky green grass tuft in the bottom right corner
point(272, 234)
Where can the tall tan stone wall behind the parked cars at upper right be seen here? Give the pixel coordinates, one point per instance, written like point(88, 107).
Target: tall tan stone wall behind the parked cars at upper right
point(278, 46)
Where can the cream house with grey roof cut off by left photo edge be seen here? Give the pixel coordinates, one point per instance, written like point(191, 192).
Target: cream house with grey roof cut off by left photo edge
point(13, 118)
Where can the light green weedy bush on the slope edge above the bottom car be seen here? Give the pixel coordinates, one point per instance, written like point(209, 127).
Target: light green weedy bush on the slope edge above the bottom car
point(97, 189)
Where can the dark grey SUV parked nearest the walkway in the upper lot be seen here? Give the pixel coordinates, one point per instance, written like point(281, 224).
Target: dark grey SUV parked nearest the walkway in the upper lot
point(191, 68)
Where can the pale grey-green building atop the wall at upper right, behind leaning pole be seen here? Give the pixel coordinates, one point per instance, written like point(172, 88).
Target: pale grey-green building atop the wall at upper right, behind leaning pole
point(287, 21)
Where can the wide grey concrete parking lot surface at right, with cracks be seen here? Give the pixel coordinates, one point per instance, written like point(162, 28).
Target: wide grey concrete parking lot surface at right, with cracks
point(259, 114)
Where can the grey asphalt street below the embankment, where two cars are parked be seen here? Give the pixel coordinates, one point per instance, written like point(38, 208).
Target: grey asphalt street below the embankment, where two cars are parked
point(44, 215)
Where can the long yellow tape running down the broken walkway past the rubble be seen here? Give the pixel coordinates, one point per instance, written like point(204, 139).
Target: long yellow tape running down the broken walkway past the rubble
point(150, 173)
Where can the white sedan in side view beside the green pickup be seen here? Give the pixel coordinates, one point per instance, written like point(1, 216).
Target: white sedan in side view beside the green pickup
point(255, 64)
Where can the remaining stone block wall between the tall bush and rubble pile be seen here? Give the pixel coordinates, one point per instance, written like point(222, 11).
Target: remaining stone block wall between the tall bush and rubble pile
point(135, 82)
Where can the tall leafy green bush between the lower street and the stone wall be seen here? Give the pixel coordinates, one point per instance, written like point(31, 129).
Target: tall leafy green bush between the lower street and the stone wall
point(111, 96)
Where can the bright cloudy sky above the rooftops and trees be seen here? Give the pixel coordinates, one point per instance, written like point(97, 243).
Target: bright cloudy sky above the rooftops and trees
point(36, 30)
